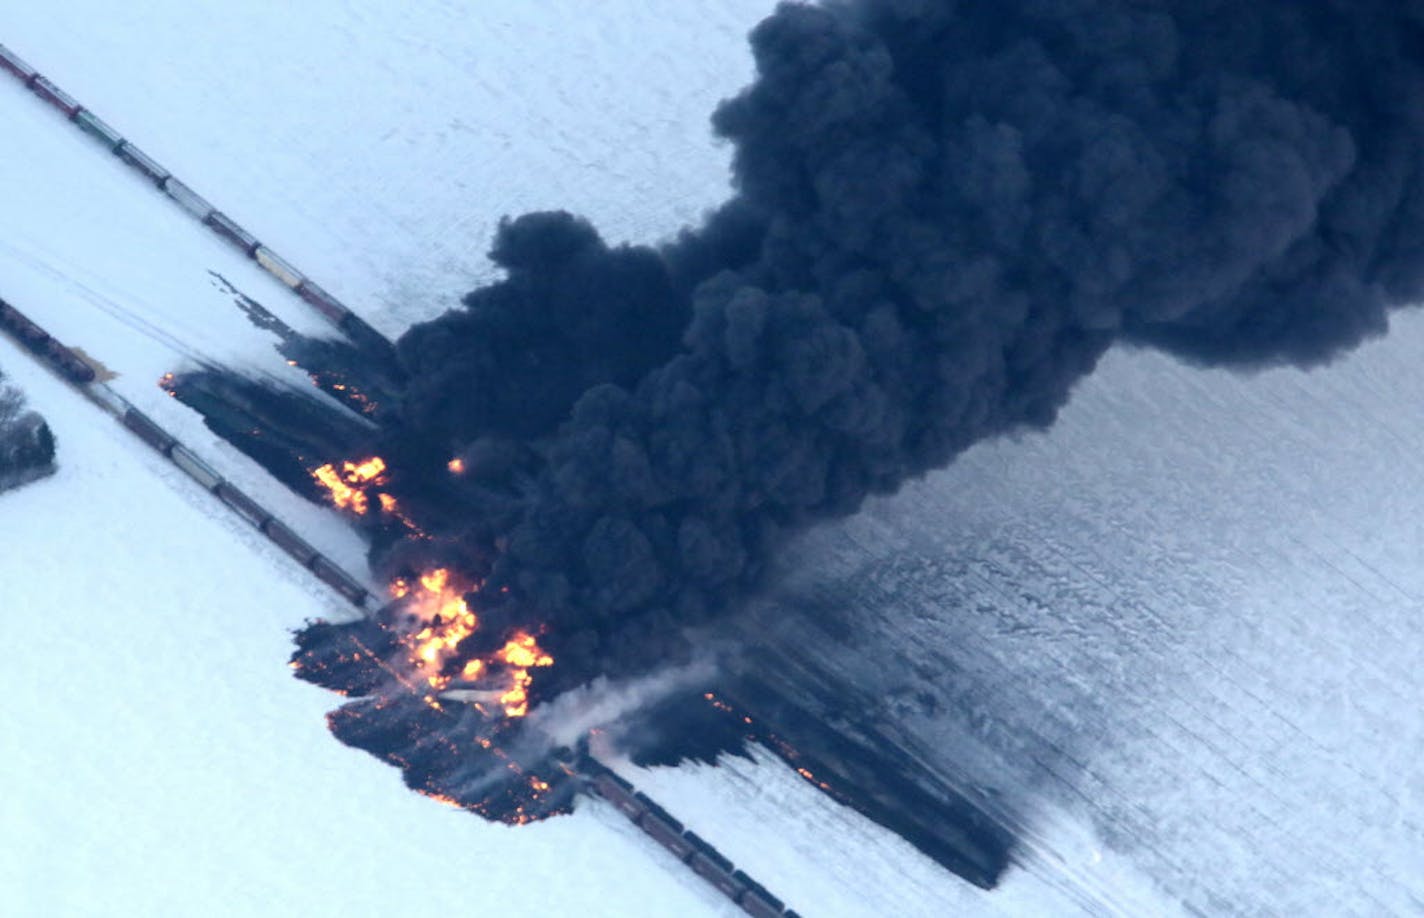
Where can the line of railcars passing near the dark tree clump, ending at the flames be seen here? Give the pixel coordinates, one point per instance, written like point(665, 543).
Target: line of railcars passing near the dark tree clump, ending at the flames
point(79, 372)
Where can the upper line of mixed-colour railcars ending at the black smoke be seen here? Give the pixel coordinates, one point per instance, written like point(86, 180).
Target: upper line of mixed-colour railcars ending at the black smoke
point(333, 310)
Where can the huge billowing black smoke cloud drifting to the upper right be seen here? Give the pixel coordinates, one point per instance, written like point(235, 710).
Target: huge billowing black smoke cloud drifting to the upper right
point(945, 214)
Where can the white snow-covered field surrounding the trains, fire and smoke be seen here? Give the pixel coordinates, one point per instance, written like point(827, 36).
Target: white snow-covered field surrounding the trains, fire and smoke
point(1178, 637)
